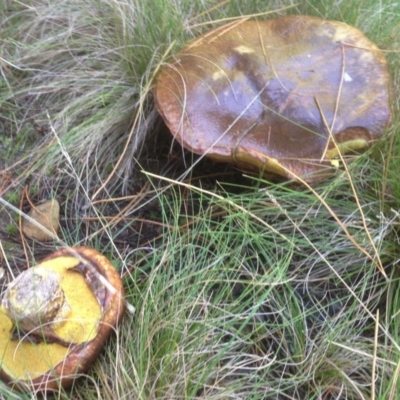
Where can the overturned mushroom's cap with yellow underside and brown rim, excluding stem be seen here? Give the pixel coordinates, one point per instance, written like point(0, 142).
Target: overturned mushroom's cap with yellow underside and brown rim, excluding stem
point(94, 292)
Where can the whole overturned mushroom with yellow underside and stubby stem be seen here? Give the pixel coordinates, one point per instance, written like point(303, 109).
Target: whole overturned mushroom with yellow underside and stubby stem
point(56, 317)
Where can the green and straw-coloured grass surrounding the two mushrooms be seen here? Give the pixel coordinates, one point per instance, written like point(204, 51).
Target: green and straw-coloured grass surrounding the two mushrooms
point(243, 288)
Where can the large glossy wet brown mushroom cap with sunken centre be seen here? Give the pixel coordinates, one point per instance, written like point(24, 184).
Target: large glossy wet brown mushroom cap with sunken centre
point(283, 95)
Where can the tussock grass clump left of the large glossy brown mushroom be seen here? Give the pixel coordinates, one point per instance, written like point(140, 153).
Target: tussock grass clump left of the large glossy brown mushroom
point(76, 76)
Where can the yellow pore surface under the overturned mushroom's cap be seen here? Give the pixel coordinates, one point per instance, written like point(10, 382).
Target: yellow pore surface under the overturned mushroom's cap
point(22, 360)
